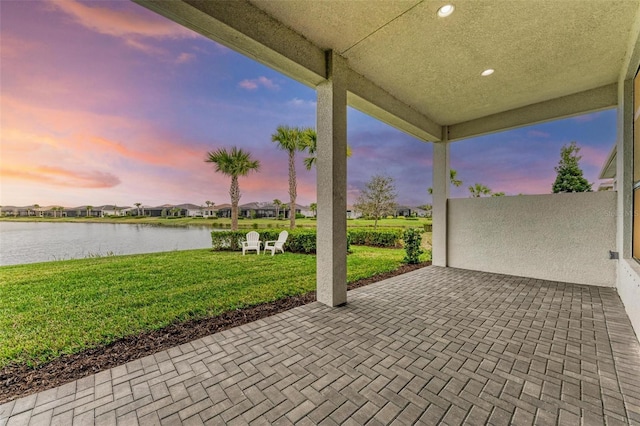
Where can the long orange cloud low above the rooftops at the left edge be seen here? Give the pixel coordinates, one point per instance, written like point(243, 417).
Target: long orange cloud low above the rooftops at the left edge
point(62, 177)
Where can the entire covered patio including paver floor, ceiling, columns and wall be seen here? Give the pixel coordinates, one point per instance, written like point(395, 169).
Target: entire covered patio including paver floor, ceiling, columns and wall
point(528, 315)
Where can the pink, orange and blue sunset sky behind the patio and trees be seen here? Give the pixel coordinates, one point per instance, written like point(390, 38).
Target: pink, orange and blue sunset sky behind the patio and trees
point(108, 103)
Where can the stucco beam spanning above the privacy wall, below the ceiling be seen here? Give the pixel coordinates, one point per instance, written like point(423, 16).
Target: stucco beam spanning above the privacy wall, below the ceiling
point(566, 106)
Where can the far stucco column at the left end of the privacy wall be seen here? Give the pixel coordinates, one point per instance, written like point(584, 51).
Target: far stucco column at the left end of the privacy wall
point(440, 196)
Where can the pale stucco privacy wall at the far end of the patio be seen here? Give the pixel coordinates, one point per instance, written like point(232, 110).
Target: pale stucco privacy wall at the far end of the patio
point(558, 237)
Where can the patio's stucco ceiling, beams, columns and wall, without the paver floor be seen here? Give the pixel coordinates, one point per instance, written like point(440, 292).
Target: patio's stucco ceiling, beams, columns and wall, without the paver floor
point(444, 72)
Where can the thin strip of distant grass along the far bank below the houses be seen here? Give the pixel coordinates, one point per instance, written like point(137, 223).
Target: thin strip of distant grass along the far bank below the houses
point(222, 222)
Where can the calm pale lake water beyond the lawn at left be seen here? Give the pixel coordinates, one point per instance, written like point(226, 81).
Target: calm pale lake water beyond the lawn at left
point(30, 242)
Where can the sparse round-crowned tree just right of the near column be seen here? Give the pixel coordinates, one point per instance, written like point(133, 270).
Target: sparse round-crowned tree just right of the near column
point(378, 198)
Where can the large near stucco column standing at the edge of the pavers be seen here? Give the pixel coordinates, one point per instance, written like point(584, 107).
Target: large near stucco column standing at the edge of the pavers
point(331, 275)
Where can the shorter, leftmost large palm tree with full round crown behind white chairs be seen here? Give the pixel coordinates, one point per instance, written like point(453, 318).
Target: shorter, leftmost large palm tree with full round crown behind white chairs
point(233, 163)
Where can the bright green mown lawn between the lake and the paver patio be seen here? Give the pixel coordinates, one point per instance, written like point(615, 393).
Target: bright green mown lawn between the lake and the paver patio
point(54, 308)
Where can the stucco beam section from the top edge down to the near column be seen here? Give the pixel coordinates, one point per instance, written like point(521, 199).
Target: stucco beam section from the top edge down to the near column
point(243, 27)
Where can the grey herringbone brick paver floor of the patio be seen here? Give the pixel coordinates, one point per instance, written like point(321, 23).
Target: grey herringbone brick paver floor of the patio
point(432, 346)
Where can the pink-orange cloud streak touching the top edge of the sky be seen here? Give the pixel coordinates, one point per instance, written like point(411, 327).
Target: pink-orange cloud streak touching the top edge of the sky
point(121, 22)
